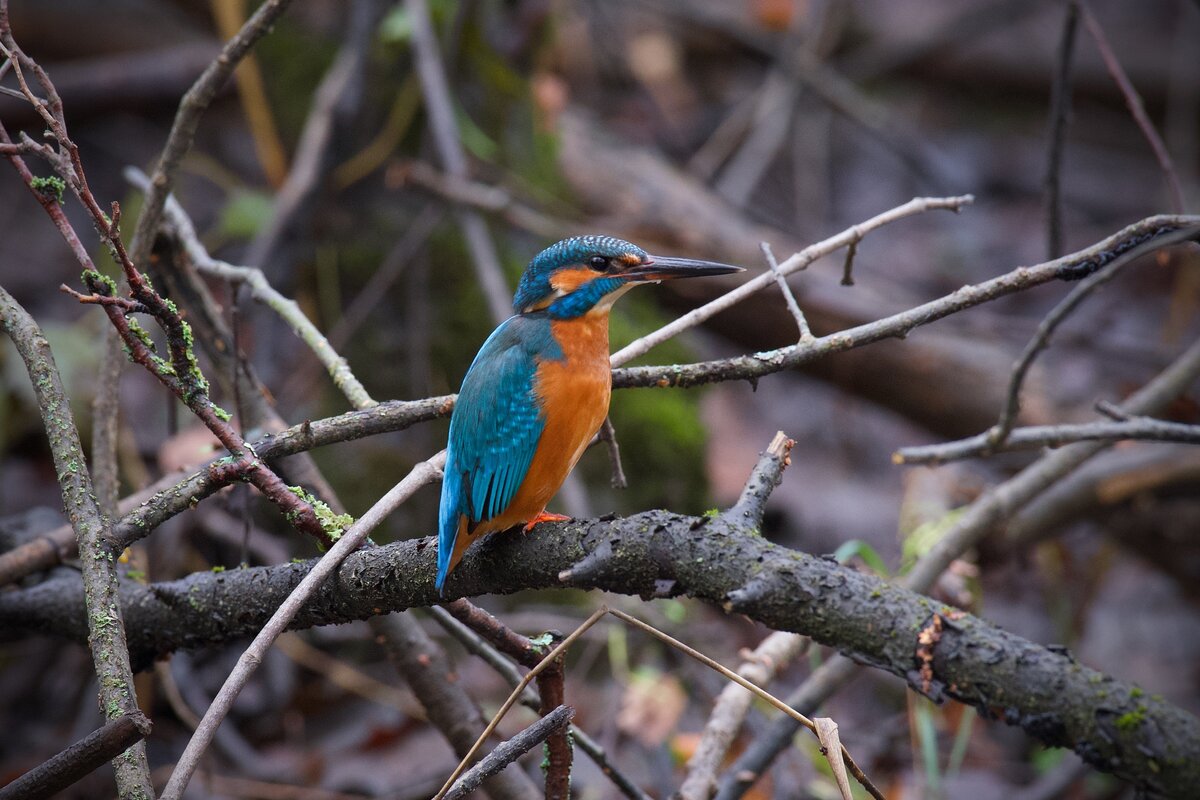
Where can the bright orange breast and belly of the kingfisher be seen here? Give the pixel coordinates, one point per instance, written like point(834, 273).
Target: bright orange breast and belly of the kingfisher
point(574, 393)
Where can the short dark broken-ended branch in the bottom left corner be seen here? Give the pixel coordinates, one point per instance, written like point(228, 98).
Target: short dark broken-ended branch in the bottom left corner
point(80, 760)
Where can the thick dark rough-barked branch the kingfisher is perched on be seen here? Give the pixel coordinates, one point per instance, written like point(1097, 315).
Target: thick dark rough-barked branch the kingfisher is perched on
point(1114, 726)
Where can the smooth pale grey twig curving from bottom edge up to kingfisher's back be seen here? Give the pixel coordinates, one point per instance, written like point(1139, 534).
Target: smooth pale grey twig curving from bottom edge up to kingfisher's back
point(424, 473)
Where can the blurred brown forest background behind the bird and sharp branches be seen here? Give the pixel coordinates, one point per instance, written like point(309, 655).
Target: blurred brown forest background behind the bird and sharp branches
point(691, 128)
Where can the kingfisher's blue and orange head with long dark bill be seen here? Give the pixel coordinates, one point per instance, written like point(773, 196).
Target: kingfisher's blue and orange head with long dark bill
point(585, 274)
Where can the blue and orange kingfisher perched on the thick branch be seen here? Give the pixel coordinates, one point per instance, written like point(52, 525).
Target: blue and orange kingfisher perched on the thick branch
point(538, 390)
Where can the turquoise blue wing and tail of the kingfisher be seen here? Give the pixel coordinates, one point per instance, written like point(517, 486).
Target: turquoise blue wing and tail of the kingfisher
point(494, 432)
